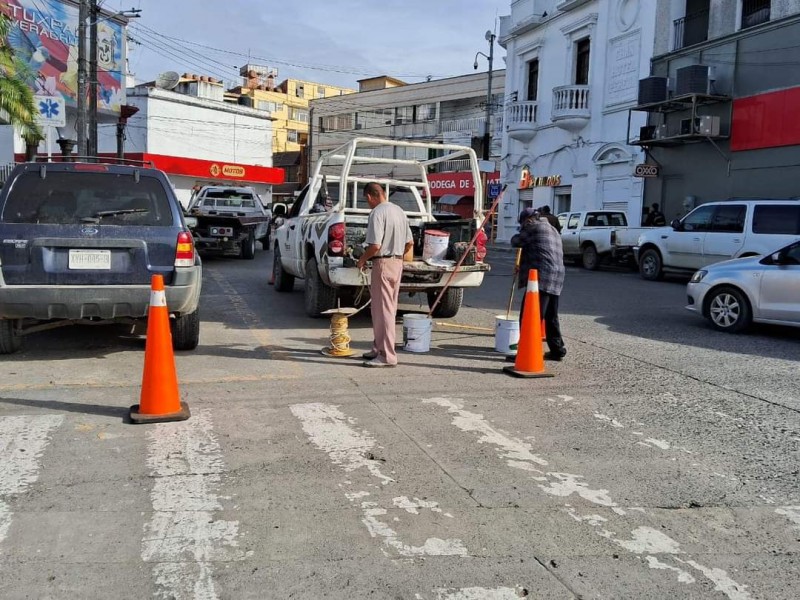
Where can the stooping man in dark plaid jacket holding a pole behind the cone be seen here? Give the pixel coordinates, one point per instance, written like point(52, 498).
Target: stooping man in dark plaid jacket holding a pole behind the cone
point(541, 250)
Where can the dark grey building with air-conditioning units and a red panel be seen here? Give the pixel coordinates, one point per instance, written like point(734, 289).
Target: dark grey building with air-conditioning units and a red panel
point(722, 103)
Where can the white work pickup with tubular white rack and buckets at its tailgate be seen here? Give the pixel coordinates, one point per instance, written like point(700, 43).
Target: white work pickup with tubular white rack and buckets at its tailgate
point(323, 235)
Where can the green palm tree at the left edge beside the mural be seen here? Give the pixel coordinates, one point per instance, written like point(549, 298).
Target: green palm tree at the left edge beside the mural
point(17, 104)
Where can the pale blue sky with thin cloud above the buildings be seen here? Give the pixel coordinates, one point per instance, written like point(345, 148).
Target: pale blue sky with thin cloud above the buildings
point(326, 41)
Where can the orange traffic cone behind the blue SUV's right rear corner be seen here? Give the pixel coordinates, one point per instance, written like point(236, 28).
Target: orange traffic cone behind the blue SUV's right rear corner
point(160, 399)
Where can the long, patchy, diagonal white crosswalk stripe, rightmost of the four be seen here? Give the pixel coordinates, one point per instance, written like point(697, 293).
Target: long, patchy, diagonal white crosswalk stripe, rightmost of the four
point(644, 540)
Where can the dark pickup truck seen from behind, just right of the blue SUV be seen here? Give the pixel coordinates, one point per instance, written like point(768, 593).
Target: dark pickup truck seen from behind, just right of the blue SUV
point(229, 221)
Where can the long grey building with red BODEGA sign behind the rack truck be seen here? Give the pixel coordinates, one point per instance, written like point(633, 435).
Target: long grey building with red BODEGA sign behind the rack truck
point(450, 110)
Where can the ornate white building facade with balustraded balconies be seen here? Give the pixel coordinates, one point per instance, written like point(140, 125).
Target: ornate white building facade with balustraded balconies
point(572, 74)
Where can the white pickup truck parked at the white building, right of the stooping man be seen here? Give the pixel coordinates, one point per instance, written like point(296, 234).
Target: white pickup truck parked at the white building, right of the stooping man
point(596, 236)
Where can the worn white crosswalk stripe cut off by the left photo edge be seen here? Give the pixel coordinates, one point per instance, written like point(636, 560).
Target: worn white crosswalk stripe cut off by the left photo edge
point(22, 442)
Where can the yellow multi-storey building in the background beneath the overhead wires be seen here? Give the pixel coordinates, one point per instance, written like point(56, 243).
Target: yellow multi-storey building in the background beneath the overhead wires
point(287, 103)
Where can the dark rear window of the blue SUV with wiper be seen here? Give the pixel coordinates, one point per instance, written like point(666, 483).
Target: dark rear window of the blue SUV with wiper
point(67, 198)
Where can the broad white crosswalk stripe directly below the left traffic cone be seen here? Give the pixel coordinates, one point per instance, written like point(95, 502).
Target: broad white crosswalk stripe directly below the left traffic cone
point(182, 538)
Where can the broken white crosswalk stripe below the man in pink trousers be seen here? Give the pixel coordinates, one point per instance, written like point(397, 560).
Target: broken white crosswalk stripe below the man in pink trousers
point(352, 450)
